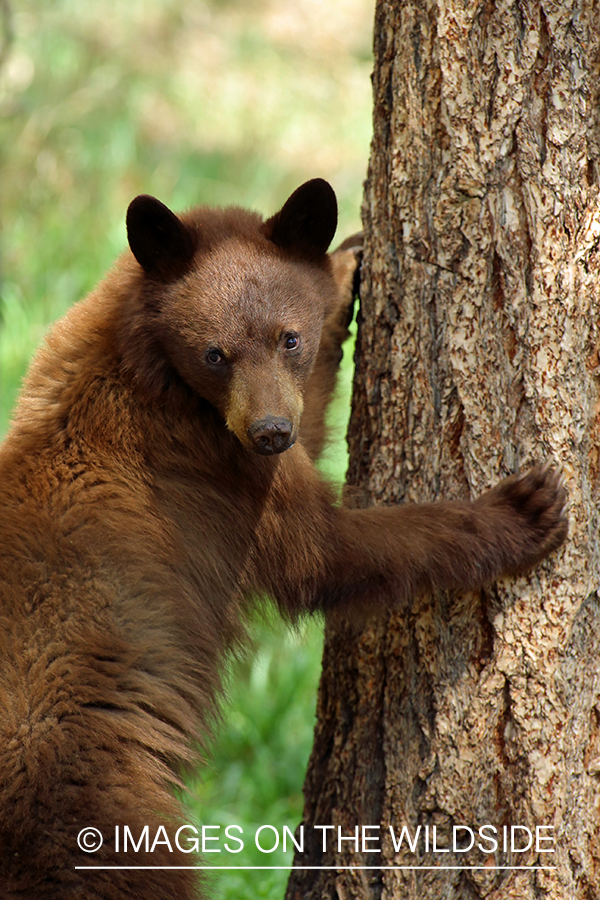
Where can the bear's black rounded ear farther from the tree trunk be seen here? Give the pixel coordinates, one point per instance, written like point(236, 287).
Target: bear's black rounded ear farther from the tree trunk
point(160, 242)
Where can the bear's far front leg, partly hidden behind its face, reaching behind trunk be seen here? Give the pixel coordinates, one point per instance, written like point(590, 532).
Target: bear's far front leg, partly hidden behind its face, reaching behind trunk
point(321, 383)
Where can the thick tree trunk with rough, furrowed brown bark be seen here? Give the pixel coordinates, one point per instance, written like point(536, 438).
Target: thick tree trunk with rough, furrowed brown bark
point(477, 354)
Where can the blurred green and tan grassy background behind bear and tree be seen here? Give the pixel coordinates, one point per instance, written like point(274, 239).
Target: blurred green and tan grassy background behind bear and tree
point(216, 102)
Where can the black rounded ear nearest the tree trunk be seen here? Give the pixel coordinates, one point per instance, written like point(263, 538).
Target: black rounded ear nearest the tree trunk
point(307, 221)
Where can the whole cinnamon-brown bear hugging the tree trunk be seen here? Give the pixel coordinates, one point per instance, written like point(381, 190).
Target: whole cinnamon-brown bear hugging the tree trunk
point(158, 474)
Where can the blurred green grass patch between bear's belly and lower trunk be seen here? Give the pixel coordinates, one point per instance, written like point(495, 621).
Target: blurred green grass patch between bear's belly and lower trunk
point(255, 776)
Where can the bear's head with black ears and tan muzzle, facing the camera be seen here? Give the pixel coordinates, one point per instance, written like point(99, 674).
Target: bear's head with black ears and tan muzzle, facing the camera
point(234, 306)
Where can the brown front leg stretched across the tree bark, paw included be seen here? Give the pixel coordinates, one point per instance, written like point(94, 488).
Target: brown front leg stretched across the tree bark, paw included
point(386, 555)
